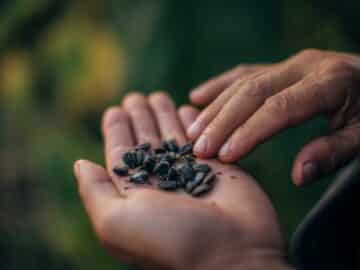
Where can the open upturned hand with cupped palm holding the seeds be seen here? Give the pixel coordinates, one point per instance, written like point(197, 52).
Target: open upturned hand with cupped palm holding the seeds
point(233, 226)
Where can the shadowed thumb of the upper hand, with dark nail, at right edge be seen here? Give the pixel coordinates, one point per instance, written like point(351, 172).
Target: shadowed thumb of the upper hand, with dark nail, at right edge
point(326, 154)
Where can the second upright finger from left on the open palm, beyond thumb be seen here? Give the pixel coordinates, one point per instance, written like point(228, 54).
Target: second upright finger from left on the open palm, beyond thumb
point(142, 119)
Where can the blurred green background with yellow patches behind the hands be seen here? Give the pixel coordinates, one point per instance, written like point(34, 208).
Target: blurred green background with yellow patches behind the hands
point(63, 62)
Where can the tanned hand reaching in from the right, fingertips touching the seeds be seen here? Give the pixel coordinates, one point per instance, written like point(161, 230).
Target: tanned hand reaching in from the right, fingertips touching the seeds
point(248, 105)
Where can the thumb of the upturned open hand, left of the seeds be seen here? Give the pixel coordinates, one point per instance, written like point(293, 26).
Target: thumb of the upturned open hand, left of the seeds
point(95, 187)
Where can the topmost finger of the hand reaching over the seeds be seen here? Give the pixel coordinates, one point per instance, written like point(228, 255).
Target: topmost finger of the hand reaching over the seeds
point(208, 91)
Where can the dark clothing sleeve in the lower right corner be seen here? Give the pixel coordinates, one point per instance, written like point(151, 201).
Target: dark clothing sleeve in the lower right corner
point(328, 238)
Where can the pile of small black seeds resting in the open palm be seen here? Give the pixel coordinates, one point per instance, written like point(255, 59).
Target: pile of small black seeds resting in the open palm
point(175, 166)
